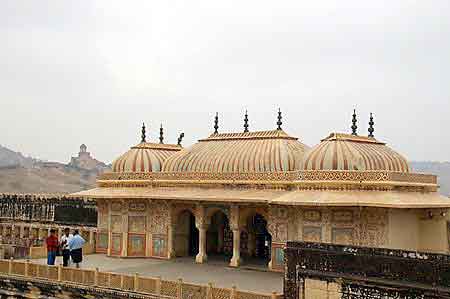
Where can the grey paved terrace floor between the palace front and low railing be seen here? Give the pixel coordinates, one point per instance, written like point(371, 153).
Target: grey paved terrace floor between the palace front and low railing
point(215, 271)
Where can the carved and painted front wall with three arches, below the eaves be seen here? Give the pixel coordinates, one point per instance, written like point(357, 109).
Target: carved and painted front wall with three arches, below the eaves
point(165, 229)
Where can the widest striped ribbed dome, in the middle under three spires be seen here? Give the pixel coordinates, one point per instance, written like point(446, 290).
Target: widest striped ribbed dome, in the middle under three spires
point(265, 151)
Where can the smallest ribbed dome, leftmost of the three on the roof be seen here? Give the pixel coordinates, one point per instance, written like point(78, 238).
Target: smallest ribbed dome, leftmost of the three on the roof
point(144, 157)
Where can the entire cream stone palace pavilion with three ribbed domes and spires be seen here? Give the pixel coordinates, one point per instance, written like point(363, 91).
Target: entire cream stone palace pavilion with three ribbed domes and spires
point(242, 196)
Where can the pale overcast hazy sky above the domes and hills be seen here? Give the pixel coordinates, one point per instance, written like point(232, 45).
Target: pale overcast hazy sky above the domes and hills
point(75, 72)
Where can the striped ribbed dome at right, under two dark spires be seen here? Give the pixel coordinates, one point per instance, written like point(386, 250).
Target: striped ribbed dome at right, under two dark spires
point(349, 152)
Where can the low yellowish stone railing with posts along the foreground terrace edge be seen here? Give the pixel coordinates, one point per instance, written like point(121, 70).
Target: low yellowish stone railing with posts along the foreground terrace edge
point(156, 287)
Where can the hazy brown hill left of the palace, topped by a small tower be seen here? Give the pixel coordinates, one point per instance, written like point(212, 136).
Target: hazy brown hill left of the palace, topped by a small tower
point(19, 174)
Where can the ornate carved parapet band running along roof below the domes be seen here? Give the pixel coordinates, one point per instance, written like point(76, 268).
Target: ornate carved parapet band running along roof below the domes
point(313, 179)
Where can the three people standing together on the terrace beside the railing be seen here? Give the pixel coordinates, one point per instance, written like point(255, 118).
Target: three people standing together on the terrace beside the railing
point(70, 247)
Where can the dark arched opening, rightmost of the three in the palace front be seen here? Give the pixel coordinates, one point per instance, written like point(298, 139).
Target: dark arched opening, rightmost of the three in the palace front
point(259, 241)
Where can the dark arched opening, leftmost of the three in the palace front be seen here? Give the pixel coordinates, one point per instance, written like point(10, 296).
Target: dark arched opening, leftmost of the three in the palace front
point(186, 235)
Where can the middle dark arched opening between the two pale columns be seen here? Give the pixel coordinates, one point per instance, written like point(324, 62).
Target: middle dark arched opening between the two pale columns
point(219, 240)
